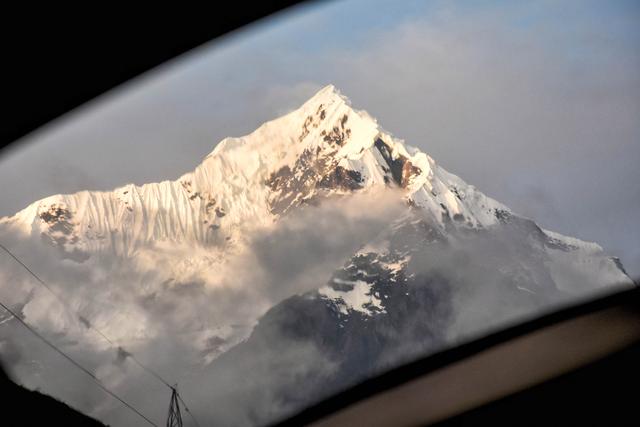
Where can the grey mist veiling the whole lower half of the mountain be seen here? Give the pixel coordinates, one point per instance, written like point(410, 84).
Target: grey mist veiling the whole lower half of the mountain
point(465, 284)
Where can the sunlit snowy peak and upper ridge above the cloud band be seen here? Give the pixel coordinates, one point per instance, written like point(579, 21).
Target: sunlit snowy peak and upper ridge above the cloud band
point(323, 148)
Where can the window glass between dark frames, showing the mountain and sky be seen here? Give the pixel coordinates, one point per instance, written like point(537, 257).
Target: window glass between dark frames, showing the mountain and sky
point(319, 197)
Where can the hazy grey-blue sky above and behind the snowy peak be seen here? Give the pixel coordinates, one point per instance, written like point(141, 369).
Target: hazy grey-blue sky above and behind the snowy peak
point(536, 103)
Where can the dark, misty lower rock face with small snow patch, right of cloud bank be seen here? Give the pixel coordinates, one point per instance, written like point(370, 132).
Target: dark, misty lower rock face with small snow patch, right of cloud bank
point(411, 296)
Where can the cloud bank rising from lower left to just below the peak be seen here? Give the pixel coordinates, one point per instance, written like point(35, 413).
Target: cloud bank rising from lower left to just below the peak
point(174, 326)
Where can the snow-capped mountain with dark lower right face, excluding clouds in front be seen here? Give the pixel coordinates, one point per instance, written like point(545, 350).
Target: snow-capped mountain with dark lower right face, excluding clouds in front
point(428, 277)
